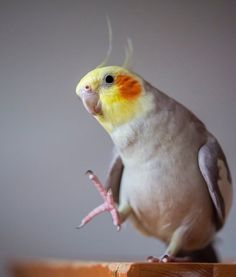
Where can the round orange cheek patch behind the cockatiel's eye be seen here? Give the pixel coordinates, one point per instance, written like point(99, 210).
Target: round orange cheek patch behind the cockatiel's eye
point(129, 87)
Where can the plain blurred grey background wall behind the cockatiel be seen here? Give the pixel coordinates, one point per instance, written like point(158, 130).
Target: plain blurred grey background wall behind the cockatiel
point(48, 140)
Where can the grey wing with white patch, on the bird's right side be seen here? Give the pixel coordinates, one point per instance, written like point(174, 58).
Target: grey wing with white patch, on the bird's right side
point(215, 170)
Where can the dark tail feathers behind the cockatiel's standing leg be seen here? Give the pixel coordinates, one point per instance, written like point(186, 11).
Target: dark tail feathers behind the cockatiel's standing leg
point(205, 255)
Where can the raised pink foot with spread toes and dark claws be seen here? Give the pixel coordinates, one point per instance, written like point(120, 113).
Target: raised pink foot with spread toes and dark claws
point(108, 205)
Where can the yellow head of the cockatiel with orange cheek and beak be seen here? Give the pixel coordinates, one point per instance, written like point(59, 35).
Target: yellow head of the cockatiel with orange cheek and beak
point(113, 95)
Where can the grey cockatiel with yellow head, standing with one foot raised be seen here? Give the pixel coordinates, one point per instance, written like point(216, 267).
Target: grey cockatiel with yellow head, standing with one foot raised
point(169, 173)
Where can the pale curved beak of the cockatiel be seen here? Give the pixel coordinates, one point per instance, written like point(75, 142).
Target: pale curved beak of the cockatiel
point(91, 101)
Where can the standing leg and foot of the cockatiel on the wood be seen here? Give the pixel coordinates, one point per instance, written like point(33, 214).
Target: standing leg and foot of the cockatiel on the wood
point(173, 248)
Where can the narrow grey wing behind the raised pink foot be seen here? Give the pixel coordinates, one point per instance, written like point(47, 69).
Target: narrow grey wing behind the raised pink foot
point(114, 176)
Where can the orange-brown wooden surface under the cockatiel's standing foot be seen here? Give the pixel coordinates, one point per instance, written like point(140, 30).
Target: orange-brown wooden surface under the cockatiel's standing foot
point(100, 269)
